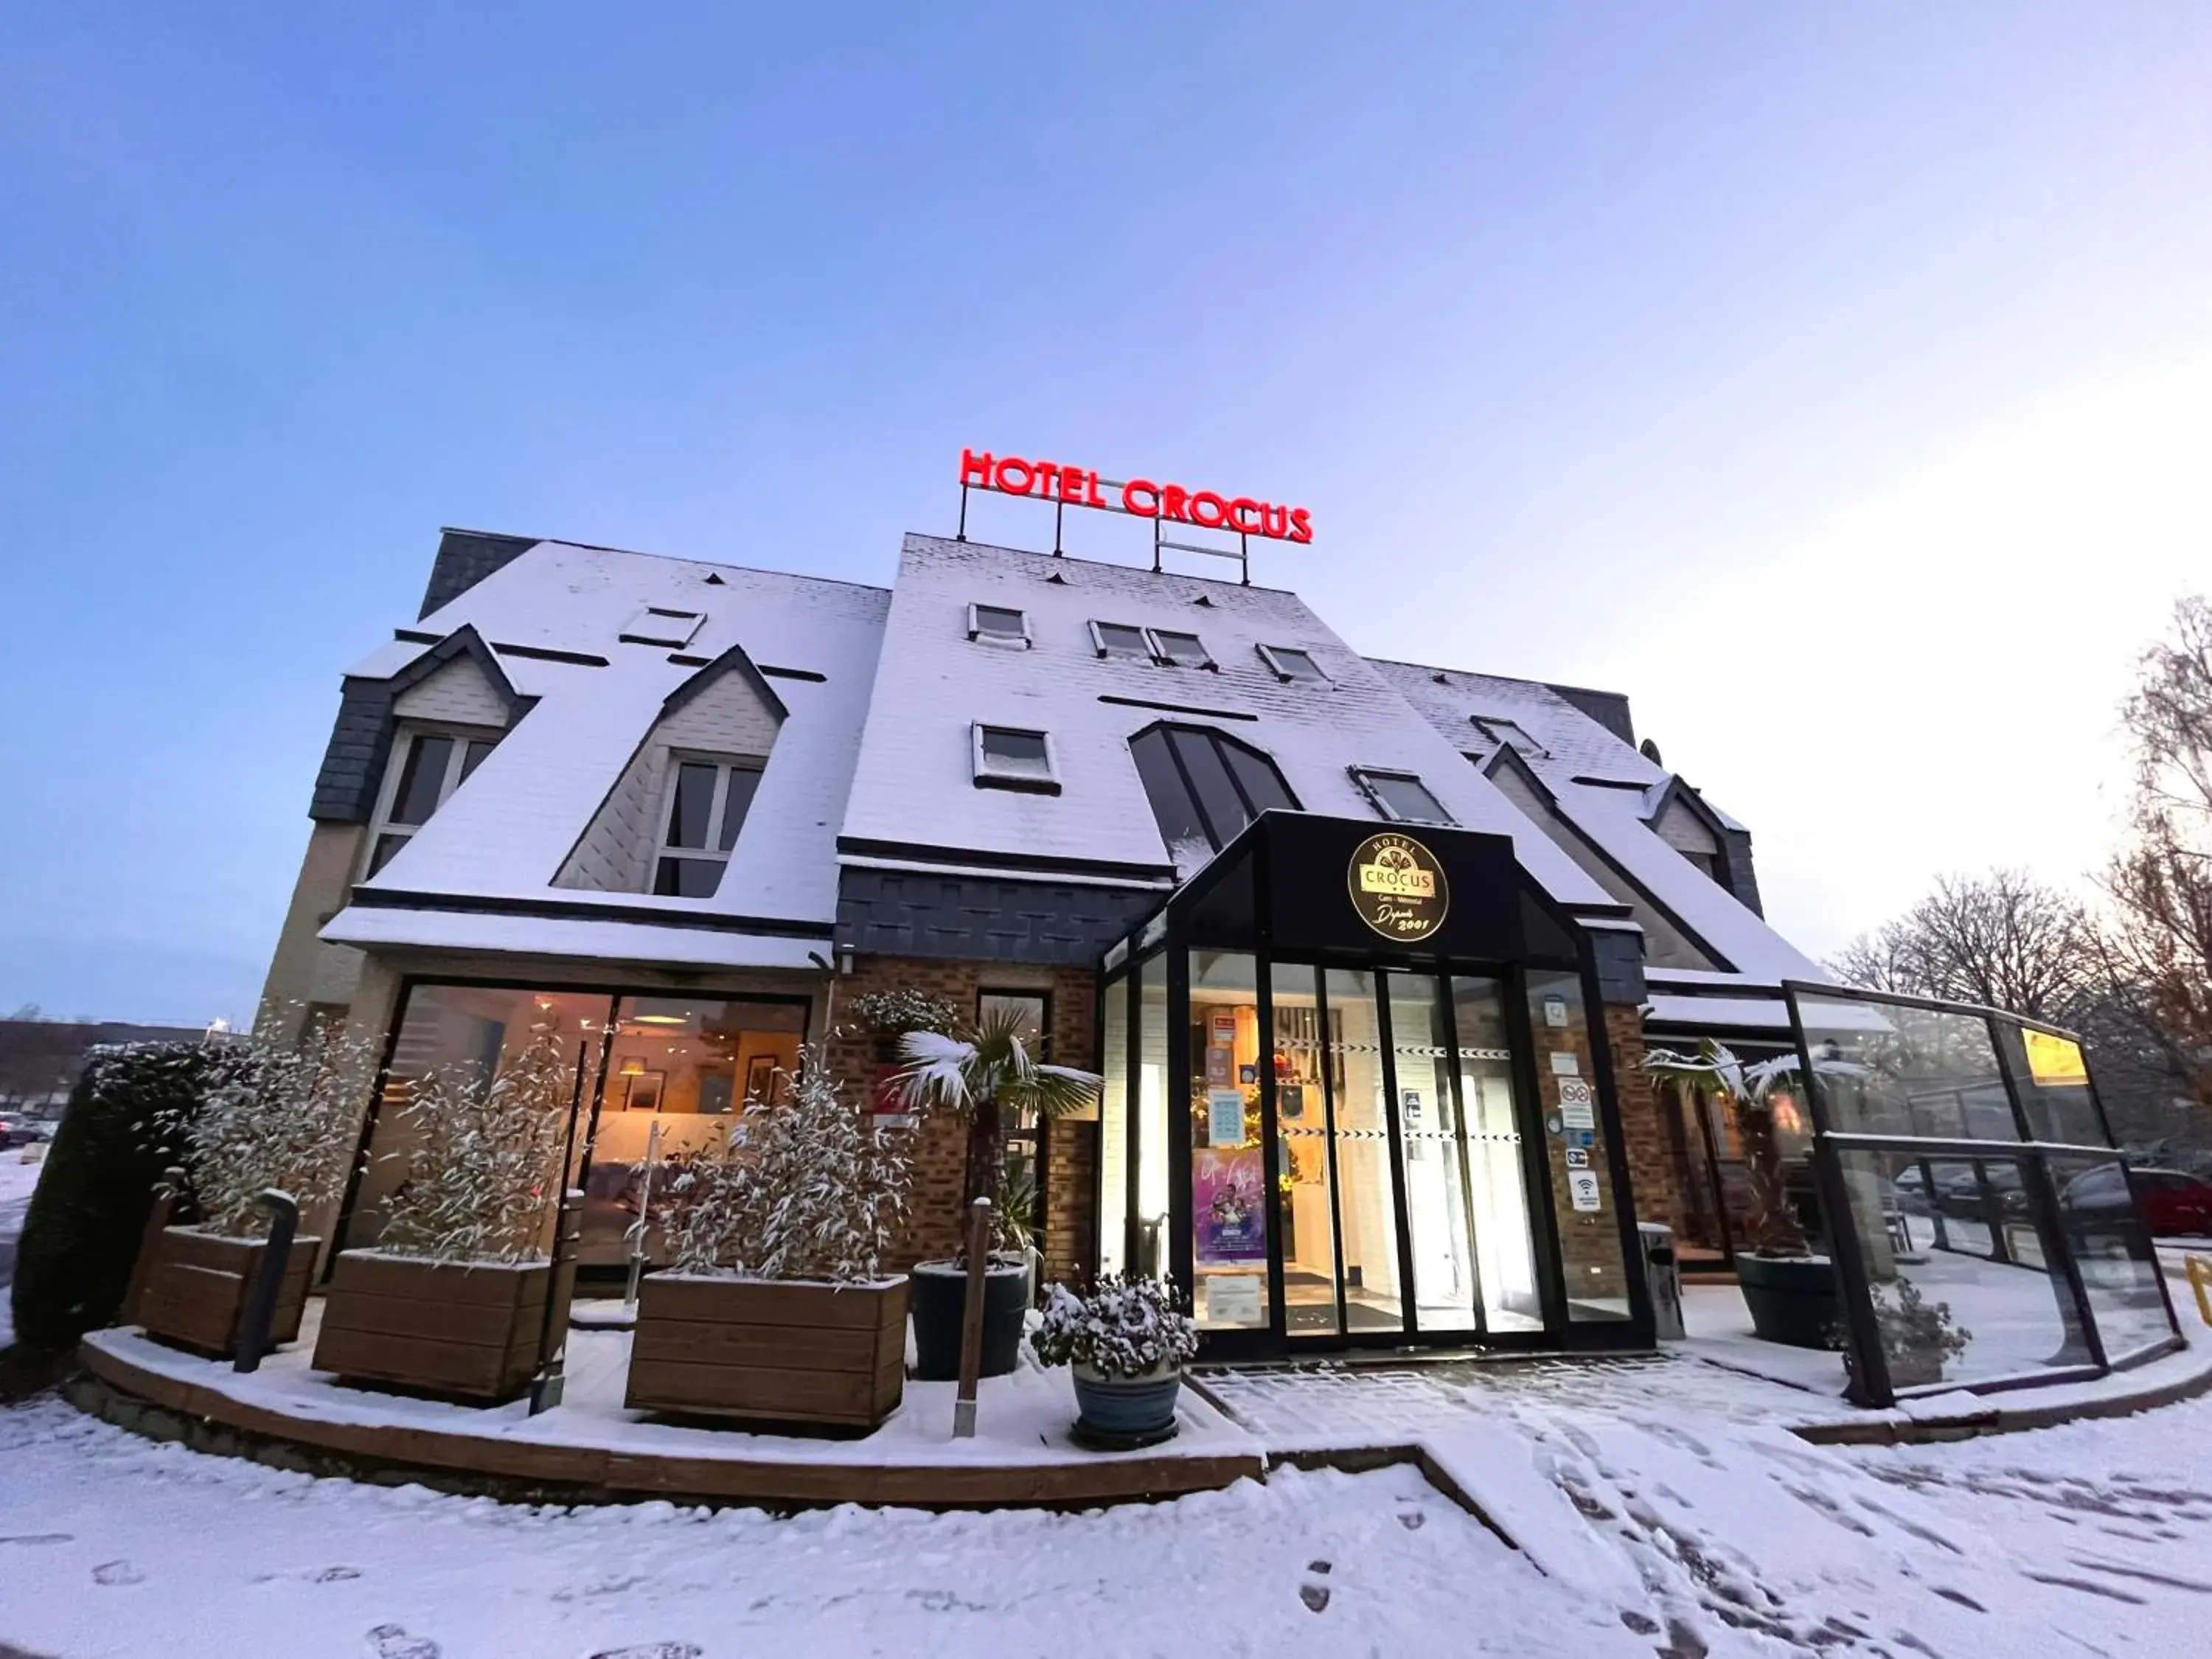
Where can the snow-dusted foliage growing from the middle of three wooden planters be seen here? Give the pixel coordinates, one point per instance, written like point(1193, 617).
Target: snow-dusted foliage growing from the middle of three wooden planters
point(483, 1165)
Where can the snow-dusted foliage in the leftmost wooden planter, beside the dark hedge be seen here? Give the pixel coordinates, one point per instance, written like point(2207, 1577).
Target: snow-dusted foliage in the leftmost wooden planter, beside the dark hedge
point(273, 1116)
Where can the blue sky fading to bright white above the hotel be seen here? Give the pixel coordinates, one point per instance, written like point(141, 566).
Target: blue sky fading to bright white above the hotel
point(1833, 379)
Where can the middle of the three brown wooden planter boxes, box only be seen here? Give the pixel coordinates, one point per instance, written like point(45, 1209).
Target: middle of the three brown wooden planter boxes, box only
point(450, 1328)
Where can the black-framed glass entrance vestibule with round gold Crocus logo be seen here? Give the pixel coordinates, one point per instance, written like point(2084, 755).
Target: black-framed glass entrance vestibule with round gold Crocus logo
point(1357, 1096)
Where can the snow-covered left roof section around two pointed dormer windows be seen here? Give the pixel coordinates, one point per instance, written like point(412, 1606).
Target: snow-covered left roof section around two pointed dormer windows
point(554, 620)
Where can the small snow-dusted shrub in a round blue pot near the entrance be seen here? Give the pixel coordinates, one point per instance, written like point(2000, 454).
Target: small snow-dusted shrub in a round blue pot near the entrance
point(1127, 1346)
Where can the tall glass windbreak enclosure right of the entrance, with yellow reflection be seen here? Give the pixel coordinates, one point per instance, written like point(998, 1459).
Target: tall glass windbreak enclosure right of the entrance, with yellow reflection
point(1981, 1218)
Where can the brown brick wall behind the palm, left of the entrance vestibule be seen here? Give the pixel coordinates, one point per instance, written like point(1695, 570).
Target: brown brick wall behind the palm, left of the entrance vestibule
point(941, 1142)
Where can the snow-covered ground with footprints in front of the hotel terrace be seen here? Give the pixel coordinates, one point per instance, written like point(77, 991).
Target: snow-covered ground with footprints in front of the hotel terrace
point(1658, 1507)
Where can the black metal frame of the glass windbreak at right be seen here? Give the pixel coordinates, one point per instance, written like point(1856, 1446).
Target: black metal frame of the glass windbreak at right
point(1870, 1366)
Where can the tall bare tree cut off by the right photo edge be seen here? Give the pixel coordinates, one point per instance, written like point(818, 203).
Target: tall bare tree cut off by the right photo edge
point(2158, 943)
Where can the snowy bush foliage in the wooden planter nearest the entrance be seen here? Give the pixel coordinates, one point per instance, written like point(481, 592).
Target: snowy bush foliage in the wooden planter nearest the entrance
point(804, 1189)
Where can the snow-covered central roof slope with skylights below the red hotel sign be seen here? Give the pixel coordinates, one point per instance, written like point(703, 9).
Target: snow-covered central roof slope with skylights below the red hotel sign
point(917, 791)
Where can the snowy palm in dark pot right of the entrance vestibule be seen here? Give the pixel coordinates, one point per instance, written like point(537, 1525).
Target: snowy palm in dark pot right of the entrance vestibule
point(1788, 1291)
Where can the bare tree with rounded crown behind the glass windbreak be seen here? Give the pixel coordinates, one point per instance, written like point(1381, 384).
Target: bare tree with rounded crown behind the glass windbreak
point(2003, 941)
